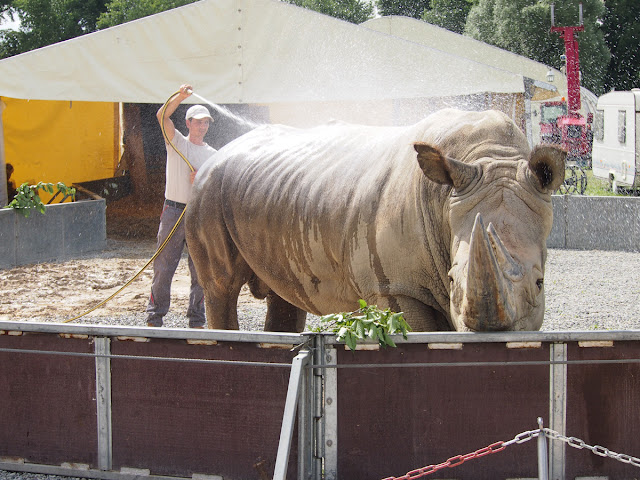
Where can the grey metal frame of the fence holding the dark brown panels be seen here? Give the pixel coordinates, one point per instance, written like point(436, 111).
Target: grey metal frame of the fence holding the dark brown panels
point(312, 396)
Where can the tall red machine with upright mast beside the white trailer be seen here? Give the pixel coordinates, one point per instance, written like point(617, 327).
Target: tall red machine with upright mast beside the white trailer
point(561, 122)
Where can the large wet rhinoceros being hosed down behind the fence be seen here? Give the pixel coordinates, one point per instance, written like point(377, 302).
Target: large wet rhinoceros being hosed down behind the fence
point(445, 220)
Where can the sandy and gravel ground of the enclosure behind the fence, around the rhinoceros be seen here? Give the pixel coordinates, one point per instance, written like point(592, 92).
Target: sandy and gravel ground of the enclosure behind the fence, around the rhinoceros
point(585, 290)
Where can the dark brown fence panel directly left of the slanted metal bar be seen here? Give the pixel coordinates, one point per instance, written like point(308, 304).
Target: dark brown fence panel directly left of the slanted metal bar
point(185, 418)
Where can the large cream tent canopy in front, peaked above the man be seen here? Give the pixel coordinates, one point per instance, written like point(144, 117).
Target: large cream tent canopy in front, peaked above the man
point(245, 51)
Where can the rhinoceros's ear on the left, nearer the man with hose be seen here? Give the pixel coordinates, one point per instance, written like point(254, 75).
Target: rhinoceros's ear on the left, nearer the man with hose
point(444, 170)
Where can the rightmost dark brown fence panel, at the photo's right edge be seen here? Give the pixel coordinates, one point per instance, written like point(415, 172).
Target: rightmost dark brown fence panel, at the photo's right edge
point(603, 408)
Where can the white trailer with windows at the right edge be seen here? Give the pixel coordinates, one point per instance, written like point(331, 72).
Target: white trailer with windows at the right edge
point(616, 139)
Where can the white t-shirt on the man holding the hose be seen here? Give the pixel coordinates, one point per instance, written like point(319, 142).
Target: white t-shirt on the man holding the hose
point(178, 181)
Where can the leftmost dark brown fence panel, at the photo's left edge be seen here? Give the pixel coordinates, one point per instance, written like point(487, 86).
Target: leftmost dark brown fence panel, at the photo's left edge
point(48, 409)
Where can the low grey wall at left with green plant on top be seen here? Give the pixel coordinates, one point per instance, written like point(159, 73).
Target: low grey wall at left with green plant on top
point(65, 231)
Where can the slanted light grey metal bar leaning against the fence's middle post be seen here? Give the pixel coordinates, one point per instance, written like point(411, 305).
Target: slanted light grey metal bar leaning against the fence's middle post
point(289, 417)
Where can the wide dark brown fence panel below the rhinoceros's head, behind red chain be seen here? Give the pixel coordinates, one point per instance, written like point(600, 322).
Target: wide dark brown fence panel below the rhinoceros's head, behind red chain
point(394, 420)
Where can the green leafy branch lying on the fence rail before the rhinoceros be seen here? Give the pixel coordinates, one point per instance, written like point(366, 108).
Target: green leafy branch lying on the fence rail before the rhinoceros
point(367, 322)
